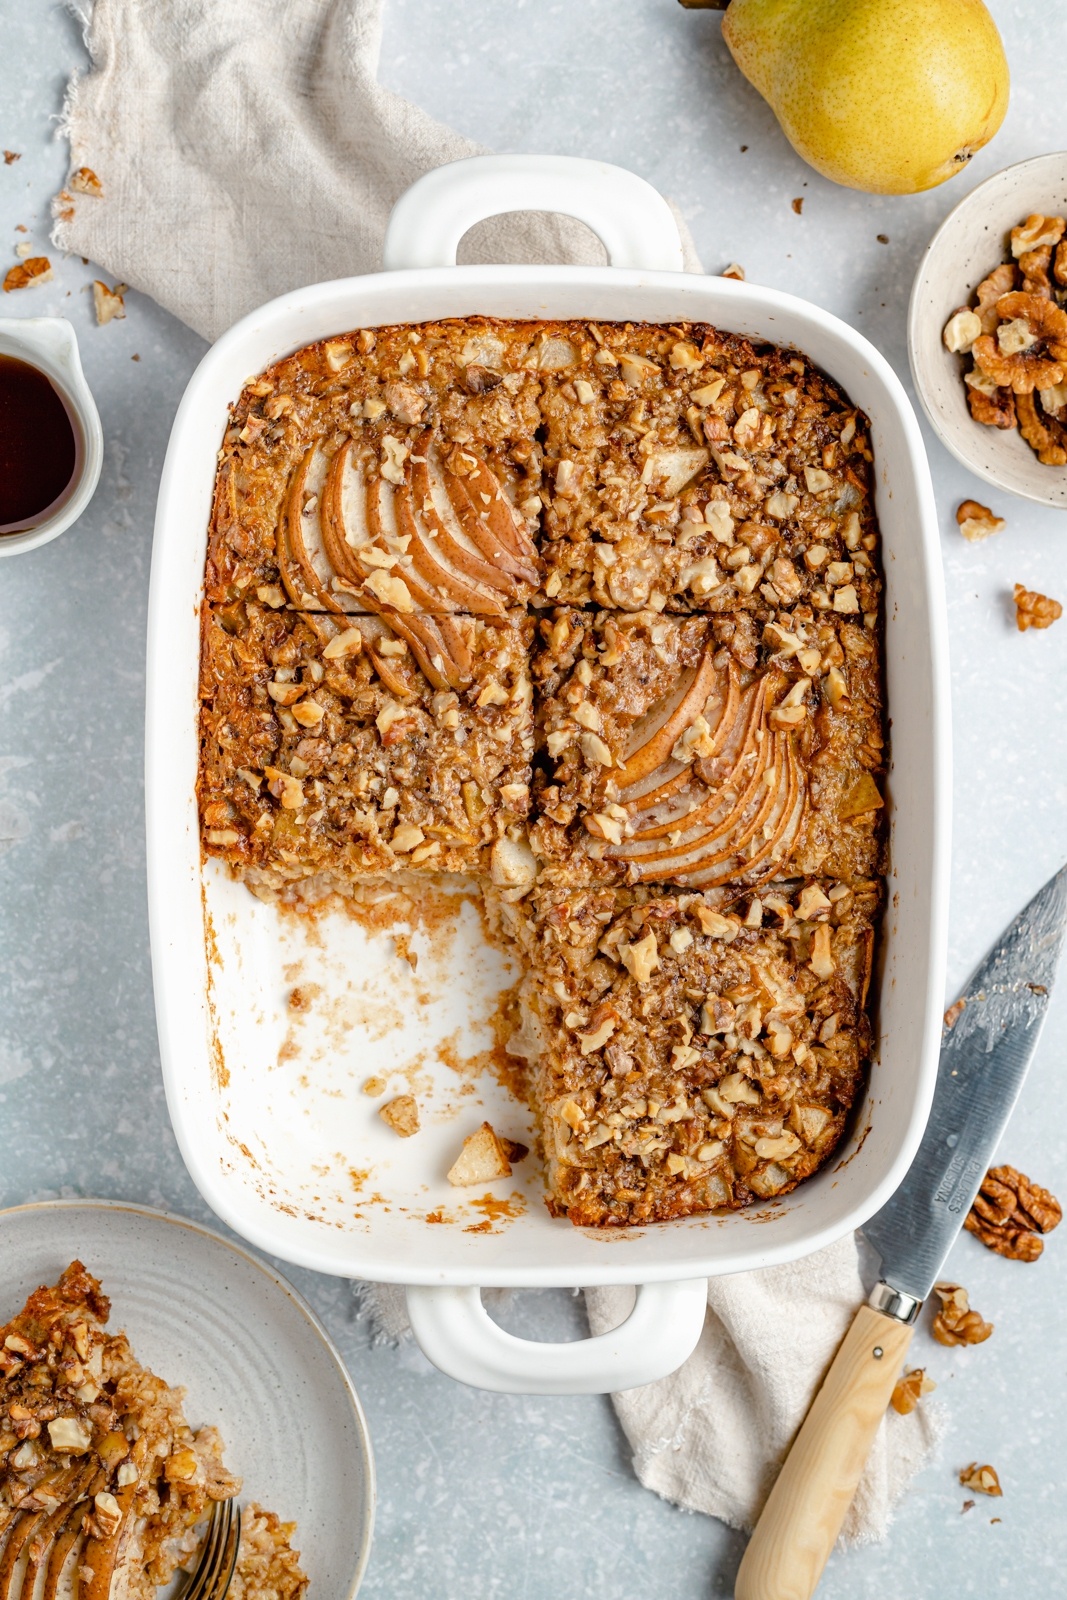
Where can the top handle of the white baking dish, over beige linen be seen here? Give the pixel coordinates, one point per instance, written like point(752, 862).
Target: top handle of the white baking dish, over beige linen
point(629, 217)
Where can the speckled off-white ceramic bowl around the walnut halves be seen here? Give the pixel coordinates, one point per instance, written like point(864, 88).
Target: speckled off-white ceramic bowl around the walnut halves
point(967, 247)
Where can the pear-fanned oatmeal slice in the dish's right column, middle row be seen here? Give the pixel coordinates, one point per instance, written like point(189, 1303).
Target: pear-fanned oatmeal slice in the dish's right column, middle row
point(709, 751)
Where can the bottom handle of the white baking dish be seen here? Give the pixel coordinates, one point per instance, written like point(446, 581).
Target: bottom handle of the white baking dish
point(460, 1337)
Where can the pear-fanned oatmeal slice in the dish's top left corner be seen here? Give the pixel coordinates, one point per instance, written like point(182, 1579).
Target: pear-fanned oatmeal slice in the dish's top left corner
point(386, 471)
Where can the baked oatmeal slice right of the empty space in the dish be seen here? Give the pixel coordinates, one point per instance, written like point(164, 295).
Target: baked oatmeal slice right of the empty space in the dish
point(685, 1060)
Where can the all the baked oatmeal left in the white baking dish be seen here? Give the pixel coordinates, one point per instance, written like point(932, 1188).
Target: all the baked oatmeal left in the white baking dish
point(591, 612)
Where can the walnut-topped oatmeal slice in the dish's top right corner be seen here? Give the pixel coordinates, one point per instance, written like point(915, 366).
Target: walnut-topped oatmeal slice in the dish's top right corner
point(692, 471)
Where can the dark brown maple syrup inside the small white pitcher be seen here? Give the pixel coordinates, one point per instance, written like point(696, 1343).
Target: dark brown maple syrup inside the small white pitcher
point(39, 447)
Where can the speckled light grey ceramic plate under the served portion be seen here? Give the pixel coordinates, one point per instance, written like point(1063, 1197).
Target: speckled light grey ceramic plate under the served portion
point(252, 1356)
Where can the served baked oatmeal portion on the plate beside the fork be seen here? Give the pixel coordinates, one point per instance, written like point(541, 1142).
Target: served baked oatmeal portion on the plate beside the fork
point(105, 1489)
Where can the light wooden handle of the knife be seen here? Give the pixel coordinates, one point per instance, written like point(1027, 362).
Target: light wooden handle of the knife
point(815, 1489)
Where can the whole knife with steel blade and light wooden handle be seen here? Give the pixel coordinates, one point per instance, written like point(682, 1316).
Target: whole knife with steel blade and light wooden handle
point(988, 1046)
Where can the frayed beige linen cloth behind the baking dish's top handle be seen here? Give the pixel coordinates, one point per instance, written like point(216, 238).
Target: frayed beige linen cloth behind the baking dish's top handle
point(246, 150)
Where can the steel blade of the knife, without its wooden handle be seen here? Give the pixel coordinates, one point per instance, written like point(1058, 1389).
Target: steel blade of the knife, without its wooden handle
point(988, 1046)
